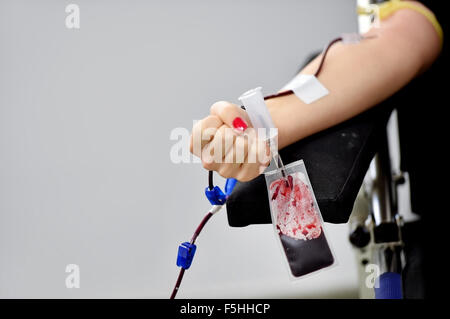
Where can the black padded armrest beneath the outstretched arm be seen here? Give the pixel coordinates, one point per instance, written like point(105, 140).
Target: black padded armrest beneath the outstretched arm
point(336, 159)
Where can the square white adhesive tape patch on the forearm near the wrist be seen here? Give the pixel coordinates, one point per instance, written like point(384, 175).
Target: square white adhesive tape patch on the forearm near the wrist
point(307, 88)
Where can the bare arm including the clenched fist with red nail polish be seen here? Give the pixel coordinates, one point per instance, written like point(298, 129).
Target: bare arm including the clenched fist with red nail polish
point(358, 77)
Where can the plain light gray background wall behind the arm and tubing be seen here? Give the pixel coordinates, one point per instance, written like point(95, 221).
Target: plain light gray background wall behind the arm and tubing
point(85, 120)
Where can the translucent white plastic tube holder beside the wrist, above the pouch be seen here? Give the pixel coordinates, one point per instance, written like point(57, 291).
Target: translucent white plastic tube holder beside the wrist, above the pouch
point(259, 115)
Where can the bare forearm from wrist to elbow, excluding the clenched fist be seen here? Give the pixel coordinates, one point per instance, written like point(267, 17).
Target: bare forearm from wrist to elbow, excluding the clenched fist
point(359, 76)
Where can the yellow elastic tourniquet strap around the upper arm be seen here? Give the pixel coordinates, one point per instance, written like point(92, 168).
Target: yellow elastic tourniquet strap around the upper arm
point(389, 7)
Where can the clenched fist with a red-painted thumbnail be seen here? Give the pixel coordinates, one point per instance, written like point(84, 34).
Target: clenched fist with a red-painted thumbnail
point(227, 143)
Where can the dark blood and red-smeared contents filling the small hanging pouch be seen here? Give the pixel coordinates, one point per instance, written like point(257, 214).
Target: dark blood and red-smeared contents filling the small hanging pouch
point(299, 225)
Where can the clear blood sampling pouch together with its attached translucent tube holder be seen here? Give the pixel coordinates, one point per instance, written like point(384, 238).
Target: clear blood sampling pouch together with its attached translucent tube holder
point(294, 210)
